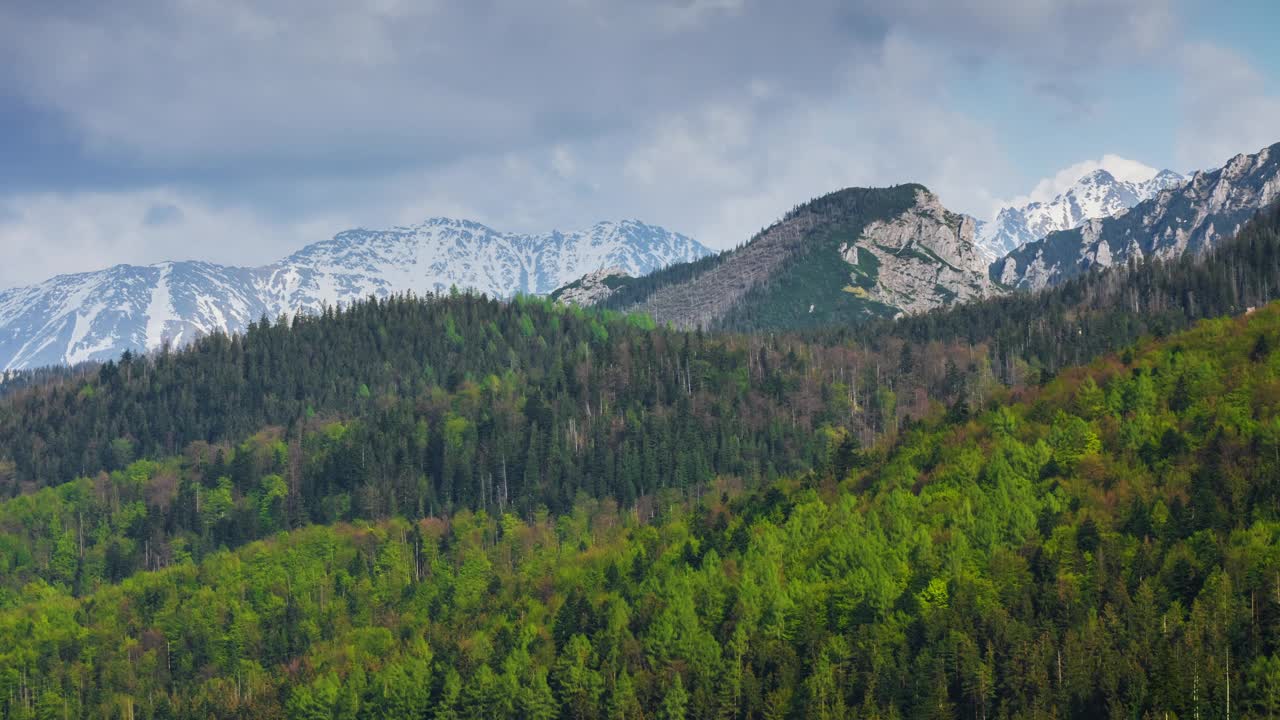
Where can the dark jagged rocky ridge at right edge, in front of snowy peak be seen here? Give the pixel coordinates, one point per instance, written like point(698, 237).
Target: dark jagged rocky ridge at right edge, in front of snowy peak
point(1187, 218)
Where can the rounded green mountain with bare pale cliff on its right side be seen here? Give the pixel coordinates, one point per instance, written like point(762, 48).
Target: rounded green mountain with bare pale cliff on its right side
point(847, 257)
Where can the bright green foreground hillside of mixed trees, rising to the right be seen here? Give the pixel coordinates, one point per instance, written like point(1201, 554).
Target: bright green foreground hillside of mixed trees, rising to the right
point(1108, 545)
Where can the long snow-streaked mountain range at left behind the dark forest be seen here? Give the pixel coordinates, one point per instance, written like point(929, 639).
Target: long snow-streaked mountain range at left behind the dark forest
point(99, 316)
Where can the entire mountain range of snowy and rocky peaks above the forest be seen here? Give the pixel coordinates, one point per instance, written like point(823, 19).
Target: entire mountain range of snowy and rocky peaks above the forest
point(848, 257)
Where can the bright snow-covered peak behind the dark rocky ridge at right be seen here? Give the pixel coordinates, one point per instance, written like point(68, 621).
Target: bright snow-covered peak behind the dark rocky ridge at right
point(1099, 194)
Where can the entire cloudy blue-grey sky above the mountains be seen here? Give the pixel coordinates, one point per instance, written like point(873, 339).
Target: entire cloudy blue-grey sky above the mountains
point(237, 131)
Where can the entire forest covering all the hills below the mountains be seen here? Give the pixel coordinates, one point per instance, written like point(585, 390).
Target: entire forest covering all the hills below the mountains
point(1063, 505)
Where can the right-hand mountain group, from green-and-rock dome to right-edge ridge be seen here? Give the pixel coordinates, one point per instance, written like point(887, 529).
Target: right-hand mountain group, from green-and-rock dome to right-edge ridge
point(881, 253)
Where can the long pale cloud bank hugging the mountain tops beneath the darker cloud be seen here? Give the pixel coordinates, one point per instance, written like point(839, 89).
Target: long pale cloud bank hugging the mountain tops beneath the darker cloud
point(717, 171)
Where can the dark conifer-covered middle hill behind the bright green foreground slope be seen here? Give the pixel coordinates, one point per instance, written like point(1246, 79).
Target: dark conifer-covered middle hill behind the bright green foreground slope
point(420, 408)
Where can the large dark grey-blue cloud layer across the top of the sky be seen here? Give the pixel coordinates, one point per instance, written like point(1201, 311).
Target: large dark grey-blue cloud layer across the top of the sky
point(240, 84)
